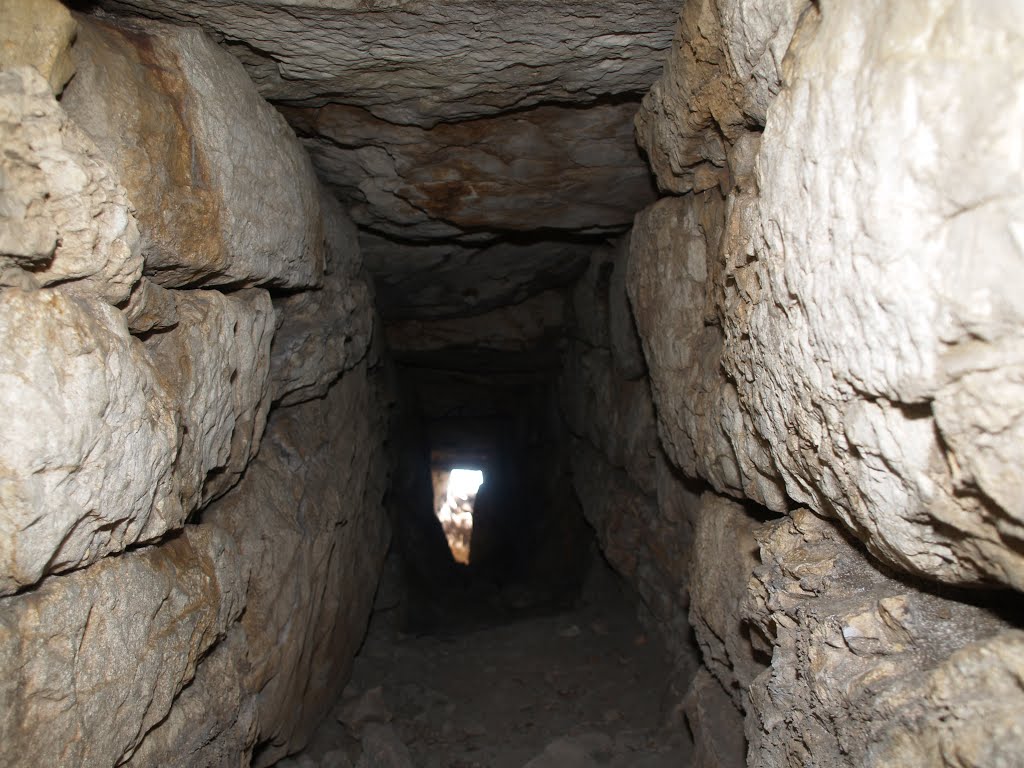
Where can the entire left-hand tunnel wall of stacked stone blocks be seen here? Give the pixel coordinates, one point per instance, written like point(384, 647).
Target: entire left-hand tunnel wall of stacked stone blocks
point(192, 471)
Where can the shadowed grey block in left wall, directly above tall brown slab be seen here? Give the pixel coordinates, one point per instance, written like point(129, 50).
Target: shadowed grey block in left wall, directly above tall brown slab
point(327, 331)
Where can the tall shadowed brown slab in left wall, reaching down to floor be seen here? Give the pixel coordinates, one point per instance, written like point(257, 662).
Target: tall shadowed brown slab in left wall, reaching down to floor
point(309, 520)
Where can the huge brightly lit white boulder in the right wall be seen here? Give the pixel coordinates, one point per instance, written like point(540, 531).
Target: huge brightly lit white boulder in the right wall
point(872, 318)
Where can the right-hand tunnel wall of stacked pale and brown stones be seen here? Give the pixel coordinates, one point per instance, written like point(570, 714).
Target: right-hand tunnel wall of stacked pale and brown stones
point(827, 309)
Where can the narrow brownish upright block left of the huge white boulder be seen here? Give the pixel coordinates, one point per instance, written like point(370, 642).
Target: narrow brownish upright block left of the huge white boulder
point(673, 274)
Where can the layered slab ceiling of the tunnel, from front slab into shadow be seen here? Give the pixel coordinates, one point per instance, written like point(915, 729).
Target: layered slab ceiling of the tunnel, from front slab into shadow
point(482, 147)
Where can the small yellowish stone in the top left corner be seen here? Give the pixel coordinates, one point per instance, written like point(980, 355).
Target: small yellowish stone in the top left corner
point(39, 34)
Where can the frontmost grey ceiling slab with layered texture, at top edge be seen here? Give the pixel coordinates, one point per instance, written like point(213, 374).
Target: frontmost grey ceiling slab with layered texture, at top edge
point(421, 63)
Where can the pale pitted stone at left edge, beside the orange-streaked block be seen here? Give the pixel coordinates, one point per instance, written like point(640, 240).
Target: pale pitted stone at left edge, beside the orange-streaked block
point(65, 219)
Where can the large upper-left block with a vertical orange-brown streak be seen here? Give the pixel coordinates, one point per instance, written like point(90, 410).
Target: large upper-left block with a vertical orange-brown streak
point(224, 191)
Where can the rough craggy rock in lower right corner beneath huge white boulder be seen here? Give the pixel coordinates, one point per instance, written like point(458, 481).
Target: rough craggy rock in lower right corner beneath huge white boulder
point(872, 670)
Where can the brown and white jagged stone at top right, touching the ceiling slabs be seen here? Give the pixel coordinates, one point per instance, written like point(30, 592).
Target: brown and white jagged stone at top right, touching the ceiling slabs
point(722, 73)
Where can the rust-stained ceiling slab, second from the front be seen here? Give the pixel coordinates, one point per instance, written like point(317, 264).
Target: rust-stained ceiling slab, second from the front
point(565, 169)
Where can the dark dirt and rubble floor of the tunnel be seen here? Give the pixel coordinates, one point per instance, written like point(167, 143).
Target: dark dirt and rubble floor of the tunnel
point(572, 691)
